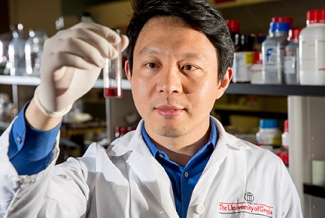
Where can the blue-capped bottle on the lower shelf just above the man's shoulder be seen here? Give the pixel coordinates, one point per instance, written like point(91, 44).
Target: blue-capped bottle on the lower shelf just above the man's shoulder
point(269, 135)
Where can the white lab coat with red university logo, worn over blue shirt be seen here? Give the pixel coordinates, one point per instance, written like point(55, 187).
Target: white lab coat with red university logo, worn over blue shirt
point(240, 180)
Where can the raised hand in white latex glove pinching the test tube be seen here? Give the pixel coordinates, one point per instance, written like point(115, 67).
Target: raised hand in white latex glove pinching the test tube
point(71, 62)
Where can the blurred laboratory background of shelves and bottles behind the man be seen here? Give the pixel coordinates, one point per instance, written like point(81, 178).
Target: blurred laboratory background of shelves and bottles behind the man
point(276, 99)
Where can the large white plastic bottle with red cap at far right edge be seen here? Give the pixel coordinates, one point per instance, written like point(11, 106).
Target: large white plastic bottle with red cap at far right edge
point(312, 49)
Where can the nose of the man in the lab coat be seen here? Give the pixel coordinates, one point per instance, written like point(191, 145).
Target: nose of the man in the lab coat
point(170, 81)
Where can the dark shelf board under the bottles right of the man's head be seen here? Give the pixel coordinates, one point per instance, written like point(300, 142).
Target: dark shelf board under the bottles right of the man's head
point(278, 90)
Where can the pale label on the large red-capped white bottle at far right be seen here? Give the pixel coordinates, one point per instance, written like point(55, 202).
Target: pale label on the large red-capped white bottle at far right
point(313, 56)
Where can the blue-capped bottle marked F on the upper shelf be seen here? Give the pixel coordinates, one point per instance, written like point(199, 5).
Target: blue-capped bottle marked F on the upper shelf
point(273, 53)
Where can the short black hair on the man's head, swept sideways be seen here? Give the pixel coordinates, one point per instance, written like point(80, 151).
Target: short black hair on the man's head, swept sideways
point(198, 14)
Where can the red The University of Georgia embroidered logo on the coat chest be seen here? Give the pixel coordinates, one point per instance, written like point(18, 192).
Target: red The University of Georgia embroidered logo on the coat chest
point(247, 206)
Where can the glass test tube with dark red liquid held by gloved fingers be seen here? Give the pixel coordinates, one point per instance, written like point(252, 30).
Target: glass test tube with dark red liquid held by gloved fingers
point(112, 74)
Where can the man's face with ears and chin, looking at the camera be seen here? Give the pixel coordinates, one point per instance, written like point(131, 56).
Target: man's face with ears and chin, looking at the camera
point(174, 80)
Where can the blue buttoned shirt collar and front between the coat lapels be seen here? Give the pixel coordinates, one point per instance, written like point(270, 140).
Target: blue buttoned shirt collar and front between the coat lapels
point(184, 179)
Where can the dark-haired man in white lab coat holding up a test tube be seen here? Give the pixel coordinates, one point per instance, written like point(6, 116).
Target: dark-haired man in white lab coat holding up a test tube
point(179, 162)
